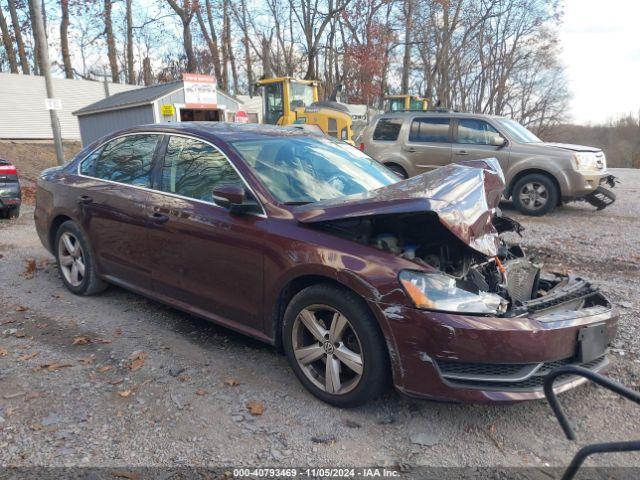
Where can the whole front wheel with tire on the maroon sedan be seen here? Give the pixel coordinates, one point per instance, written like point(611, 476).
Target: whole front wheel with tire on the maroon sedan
point(334, 346)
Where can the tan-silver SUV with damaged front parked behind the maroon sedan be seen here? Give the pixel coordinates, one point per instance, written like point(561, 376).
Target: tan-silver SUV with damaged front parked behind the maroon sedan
point(538, 175)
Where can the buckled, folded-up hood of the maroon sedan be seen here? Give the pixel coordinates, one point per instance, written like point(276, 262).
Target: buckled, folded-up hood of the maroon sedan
point(463, 196)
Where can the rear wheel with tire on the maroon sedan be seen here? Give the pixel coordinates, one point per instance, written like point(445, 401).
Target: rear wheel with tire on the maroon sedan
point(75, 261)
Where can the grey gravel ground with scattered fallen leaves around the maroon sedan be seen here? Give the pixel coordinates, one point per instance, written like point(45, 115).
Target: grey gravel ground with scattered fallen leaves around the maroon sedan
point(119, 380)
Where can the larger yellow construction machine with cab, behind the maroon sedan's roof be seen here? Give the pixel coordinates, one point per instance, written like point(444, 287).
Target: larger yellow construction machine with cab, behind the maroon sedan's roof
point(289, 101)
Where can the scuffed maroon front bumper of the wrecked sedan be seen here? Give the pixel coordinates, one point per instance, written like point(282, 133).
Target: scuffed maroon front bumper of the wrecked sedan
point(492, 359)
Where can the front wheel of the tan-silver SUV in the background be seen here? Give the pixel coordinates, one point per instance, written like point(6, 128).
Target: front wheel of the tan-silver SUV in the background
point(535, 194)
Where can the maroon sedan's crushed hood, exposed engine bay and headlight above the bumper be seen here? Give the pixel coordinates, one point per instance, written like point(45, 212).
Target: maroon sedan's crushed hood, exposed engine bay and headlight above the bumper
point(448, 223)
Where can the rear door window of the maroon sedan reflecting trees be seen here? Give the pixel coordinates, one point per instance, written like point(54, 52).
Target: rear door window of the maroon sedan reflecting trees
point(126, 160)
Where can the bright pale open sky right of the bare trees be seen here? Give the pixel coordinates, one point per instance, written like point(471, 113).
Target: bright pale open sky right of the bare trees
point(601, 51)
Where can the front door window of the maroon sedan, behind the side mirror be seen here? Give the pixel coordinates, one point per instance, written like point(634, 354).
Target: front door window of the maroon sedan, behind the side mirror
point(192, 169)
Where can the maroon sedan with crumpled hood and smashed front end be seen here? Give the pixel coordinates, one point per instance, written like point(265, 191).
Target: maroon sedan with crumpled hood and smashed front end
point(312, 246)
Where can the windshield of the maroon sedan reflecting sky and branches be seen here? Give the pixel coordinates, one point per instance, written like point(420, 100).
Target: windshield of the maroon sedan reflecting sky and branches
point(305, 169)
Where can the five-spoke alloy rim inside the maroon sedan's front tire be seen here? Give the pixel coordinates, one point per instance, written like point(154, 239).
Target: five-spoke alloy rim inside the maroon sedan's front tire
point(327, 349)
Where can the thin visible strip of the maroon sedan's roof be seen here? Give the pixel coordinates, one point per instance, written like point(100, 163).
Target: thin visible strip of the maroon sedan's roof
point(226, 132)
